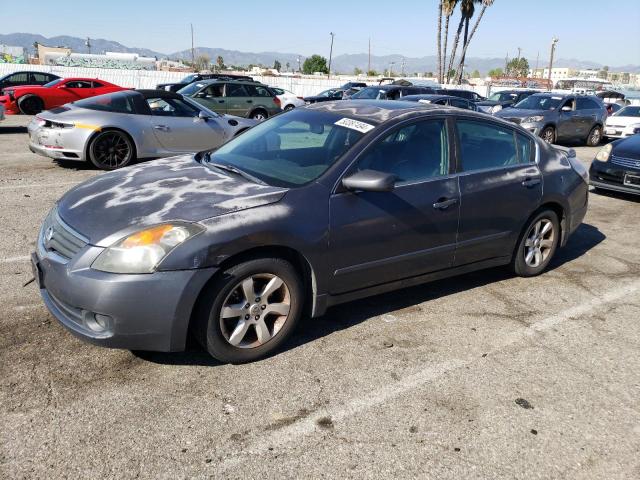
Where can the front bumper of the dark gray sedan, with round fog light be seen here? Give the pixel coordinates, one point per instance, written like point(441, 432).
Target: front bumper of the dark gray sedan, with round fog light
point(134, 312)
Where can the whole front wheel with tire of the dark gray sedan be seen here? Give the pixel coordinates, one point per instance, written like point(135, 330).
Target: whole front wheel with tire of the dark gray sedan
point(235, 338)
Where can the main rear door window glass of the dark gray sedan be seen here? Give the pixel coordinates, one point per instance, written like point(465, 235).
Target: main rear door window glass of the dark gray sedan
point(485, 145)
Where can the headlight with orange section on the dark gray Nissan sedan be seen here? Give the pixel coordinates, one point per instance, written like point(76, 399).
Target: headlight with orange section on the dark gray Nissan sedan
point(143, 251)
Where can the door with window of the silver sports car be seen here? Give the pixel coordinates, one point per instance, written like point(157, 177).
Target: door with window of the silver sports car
point(177, 127)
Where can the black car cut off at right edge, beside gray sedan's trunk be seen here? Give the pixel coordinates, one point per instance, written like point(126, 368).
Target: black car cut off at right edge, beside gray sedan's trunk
point(617, 166)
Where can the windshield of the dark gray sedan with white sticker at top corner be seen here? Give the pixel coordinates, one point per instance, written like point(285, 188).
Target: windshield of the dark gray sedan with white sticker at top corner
point(293, 149)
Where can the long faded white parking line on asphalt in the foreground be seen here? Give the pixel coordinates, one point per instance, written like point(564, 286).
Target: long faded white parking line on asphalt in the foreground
point(374, 398)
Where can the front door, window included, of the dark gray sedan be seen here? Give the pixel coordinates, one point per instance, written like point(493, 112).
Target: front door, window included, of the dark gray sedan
point(379, 237)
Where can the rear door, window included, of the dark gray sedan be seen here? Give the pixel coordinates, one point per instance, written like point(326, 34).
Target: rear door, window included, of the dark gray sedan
point(500, 186)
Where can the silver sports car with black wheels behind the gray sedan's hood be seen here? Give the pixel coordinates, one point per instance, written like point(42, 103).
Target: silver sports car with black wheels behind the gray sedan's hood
point(113, 130)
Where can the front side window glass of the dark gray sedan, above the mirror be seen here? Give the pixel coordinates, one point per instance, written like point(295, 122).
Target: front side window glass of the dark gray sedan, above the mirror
point(413, 153)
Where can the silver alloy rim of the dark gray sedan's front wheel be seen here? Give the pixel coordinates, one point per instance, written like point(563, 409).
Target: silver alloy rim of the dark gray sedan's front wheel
point(255, 311)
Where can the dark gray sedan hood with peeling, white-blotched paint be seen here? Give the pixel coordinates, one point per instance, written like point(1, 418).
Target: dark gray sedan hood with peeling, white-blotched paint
point(114, 204)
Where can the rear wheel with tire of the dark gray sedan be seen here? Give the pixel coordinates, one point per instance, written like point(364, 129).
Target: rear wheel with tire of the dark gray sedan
point(526, 262)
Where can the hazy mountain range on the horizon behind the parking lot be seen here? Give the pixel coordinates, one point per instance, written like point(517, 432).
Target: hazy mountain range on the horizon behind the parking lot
point(344, 63)
